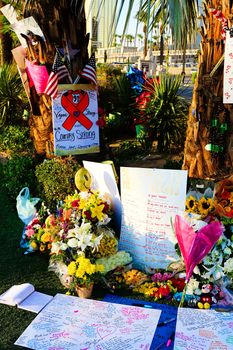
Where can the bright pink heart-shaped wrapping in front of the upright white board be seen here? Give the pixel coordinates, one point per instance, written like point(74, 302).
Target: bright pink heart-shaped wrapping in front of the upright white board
point(195, 246)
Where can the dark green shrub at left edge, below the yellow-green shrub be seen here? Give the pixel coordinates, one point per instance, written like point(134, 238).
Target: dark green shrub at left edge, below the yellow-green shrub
point(19, 172)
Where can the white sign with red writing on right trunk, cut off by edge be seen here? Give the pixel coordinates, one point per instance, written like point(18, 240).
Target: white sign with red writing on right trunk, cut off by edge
point(228, 70)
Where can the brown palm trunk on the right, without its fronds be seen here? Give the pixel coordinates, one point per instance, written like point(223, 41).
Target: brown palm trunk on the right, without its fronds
point(207, 112)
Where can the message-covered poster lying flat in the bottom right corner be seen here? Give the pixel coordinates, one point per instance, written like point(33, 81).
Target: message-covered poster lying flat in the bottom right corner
point(203, 329)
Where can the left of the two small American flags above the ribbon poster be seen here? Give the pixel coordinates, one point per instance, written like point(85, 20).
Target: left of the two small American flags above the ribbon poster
point(59, 72)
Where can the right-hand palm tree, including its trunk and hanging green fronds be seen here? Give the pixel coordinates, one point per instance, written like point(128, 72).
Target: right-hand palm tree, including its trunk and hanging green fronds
point(207, 106)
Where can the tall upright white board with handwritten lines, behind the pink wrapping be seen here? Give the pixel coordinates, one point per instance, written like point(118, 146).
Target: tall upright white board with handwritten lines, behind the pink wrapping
point(150, 198)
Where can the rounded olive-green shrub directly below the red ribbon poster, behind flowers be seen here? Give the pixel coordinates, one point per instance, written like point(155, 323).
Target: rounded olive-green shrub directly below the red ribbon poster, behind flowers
point(56, 179)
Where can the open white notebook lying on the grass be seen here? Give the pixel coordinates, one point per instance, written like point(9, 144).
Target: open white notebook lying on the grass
point(25, 297)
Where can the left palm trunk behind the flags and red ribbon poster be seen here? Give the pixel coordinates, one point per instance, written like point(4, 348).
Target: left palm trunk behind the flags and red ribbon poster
point(63, 24)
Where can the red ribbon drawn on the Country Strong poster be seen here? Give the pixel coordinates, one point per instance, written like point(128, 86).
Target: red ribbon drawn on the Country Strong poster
point(75, 109)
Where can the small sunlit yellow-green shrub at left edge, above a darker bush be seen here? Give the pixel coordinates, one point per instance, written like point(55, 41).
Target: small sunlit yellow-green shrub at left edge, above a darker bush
point(14, 138)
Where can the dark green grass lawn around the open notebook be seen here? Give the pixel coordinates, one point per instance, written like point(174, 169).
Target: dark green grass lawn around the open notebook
point(16, 268)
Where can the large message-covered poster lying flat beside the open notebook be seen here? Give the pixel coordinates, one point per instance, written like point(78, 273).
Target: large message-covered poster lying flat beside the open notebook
point(71, 323)
